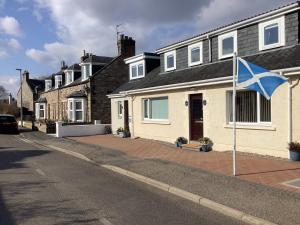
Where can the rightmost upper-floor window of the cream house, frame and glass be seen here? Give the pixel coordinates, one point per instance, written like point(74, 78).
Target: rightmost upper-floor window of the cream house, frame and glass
point(272, 34)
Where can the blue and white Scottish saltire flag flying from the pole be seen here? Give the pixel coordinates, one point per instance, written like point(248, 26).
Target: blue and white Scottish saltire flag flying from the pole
point(253, 77)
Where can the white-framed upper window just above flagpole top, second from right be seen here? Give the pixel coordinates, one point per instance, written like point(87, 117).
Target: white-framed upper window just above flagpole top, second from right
point(227, 44)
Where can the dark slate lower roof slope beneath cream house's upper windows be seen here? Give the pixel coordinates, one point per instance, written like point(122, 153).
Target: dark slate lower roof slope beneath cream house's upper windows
point(277, 59)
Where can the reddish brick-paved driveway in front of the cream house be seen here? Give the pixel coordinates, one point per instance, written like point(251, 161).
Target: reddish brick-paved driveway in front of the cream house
point(264, 170)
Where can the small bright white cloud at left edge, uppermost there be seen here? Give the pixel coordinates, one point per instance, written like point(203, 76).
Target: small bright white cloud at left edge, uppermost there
point(10, 26)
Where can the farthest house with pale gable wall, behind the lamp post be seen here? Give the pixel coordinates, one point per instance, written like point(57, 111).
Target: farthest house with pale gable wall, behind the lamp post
point(30, 89)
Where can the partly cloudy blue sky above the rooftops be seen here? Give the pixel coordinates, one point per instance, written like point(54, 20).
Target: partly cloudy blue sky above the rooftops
point(36, 35)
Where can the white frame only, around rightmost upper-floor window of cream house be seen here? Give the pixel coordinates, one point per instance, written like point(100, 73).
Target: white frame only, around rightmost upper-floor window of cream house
point(281, 33)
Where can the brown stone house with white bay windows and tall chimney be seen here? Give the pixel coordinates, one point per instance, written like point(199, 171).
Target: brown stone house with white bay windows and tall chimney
point(79, 93)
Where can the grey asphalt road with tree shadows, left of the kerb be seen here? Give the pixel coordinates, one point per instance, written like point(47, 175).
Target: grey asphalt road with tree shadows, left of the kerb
point(43, 186)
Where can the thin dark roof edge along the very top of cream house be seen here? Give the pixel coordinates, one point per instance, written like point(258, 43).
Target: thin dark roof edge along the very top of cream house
point(221, 27)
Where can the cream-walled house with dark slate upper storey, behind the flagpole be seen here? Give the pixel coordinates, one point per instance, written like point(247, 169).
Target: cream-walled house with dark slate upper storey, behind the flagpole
point(190, 93)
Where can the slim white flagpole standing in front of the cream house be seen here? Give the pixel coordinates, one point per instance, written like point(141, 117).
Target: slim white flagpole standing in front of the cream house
point(234, 112)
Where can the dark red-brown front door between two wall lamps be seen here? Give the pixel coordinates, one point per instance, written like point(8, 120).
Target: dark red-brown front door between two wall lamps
point(196, 116)
